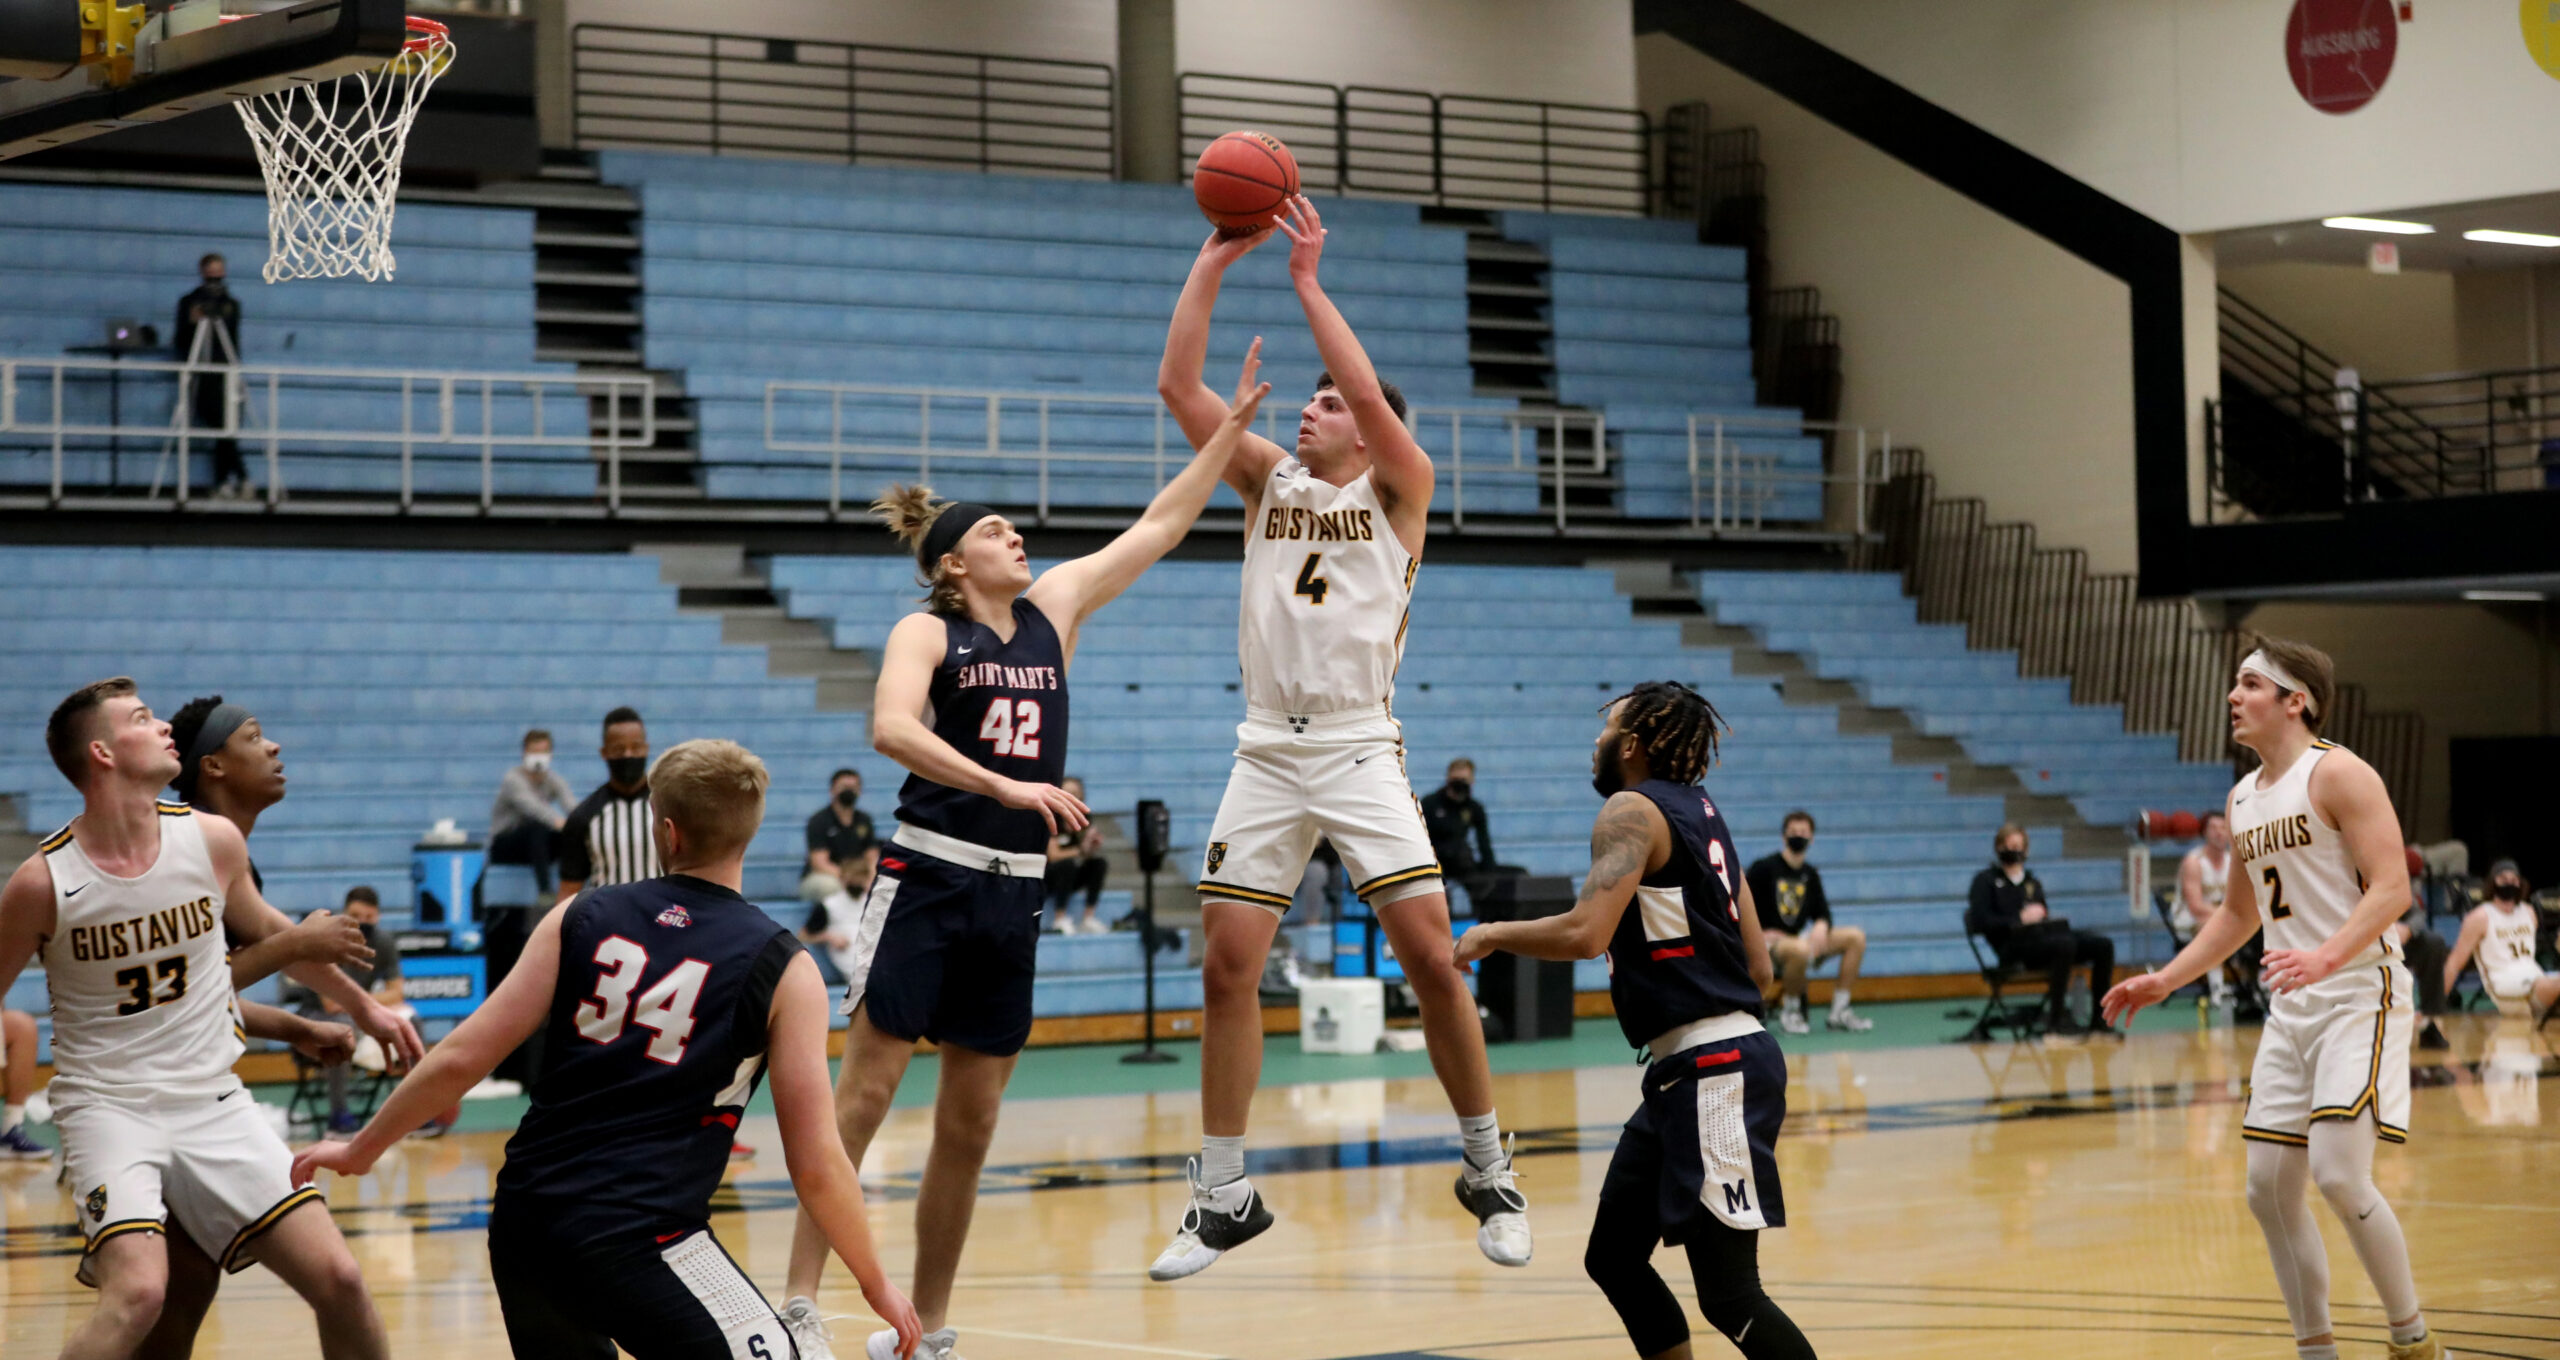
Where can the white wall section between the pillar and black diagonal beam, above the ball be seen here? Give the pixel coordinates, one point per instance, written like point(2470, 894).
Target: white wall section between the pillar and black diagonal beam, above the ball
point(1530, 50)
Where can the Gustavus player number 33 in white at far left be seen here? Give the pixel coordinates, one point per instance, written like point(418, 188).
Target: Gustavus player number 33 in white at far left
point(129, 908)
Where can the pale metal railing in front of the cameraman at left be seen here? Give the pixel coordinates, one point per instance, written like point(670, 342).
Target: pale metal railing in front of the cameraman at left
point(270, 391)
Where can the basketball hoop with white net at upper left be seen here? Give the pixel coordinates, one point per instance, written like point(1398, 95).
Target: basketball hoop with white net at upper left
point(332, 160)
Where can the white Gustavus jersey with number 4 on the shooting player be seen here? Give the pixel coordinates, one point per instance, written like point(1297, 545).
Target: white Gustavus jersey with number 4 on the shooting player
point(1327, 590)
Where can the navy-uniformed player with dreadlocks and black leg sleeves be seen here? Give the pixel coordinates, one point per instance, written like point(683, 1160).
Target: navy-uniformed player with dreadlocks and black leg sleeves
point(1668, 903)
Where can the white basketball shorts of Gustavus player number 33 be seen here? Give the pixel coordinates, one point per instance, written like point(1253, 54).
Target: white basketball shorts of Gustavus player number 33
point(209, 1159)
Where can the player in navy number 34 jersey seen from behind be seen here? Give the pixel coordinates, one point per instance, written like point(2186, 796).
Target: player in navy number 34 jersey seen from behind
point(664, 1003)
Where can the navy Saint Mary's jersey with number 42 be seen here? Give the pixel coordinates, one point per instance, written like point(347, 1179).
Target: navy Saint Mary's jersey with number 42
point(1005, 706)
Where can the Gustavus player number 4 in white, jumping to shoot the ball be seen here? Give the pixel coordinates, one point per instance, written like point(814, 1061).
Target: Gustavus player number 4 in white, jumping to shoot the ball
point(1332, 542)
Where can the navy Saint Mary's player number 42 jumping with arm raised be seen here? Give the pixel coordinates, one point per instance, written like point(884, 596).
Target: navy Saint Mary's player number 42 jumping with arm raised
point(974, 703)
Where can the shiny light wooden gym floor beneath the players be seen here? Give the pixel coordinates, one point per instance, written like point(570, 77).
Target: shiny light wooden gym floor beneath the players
point(2003, 1200)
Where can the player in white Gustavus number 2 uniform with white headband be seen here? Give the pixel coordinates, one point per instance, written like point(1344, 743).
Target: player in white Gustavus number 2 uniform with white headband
point(2316, 852)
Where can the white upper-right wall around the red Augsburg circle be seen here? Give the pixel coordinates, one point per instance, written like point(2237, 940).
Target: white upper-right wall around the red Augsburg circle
point(2185, 111)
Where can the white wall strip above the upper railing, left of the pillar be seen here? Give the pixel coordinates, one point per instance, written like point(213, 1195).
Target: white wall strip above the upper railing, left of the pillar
point(1053, 29)
